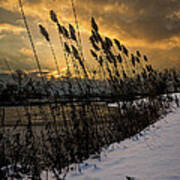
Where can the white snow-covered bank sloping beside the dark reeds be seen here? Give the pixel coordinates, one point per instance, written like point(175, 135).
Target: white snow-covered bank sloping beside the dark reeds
point(154, 155)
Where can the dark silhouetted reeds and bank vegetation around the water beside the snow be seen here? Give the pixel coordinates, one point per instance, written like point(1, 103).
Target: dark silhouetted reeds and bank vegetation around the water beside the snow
point(72, 117)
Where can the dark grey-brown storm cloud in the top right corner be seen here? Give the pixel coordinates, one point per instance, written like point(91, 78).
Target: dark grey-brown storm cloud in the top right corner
point(156, 19)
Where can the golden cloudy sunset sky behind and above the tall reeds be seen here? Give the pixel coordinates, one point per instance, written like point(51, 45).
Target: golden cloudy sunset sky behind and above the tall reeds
point(151, 26)
